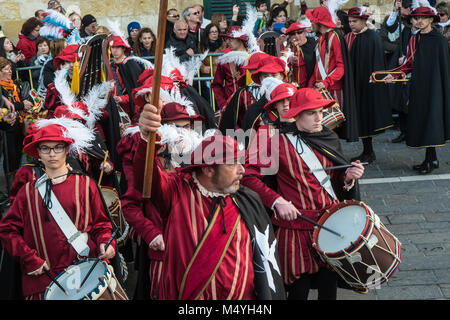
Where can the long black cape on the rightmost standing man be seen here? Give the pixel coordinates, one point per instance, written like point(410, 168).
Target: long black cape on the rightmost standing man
point(429, 104)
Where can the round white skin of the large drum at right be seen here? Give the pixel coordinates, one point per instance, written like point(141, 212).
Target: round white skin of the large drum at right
point(349, 221)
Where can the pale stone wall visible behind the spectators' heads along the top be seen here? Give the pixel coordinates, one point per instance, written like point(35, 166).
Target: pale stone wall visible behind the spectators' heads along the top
point(14, 12)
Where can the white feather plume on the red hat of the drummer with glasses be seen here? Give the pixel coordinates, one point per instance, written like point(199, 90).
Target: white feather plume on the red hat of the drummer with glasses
point(74, 130)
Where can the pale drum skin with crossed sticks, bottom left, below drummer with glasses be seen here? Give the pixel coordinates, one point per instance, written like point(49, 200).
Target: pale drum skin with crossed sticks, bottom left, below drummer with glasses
point(71, 279)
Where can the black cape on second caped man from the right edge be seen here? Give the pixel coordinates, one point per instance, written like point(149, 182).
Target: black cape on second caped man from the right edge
point(372, 99)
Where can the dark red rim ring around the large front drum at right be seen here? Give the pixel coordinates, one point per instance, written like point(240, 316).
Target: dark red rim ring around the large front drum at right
point(355, 245)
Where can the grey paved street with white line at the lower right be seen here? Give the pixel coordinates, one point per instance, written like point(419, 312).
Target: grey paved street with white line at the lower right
point(416, 209)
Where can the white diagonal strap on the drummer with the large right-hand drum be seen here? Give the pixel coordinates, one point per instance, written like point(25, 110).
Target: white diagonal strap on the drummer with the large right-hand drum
point(308, 156)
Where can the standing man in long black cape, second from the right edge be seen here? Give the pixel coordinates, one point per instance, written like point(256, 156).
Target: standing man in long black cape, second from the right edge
point(367, 56)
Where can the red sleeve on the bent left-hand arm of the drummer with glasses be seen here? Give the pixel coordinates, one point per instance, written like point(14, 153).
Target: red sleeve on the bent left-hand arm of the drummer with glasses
point(11, 229)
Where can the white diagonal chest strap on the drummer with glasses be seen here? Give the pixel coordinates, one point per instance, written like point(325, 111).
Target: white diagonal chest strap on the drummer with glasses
point(77, 239)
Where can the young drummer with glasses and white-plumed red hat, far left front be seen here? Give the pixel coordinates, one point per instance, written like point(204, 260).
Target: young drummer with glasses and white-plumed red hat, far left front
point(29, 231)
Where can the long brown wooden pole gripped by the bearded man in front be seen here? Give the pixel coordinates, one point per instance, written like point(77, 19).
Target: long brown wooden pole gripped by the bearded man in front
point(150, 154)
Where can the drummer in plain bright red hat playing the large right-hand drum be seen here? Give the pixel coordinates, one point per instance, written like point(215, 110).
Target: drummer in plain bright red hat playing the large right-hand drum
point(302, 145)
